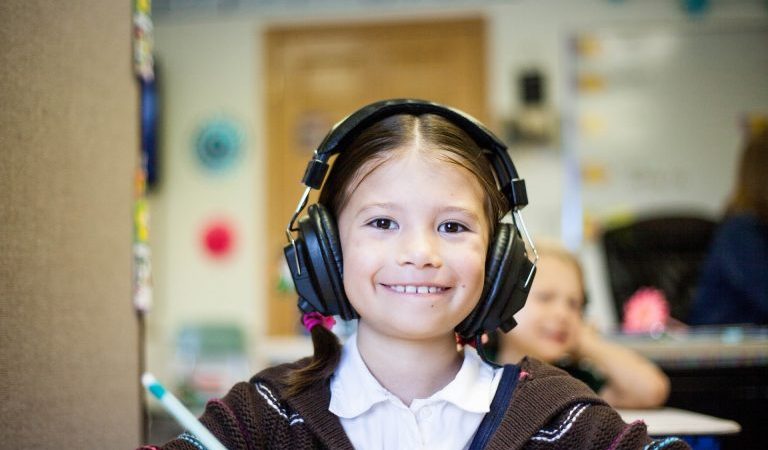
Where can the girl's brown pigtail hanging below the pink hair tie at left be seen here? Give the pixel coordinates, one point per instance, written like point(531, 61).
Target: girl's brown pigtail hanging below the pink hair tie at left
point(327, 353)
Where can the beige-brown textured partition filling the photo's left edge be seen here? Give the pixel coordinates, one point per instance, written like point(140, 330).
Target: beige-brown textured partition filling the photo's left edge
point(68, 143)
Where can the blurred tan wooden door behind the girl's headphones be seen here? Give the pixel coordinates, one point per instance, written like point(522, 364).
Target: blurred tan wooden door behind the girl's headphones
point(316, 75)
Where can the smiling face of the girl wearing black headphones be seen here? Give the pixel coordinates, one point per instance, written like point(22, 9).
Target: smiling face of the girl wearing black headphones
point(414, 238)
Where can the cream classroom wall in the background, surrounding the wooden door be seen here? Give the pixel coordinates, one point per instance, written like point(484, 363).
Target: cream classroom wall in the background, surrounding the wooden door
point(213, 63)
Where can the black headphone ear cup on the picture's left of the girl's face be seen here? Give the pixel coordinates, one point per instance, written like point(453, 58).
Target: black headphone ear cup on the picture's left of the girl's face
point(325, 258)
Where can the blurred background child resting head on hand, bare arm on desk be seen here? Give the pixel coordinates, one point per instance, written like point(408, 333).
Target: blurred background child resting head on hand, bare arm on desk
point(551, 328)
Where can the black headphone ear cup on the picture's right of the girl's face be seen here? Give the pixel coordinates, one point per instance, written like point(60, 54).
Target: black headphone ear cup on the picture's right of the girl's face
point(506, 270)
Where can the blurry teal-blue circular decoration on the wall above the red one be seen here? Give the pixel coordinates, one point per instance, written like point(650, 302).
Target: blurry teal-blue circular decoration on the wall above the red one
point(218, 144)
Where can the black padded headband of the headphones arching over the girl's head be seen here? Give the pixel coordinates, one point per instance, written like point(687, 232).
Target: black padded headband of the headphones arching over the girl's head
point(347, 130)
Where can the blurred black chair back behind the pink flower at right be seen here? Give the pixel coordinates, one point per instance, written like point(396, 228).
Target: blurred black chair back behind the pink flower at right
point(665, 252)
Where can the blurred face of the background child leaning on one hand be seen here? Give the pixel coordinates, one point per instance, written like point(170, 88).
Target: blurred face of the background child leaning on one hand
point(548, 325)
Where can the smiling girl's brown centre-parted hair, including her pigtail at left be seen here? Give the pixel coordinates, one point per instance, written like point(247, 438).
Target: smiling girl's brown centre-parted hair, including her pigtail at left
point(372, 147)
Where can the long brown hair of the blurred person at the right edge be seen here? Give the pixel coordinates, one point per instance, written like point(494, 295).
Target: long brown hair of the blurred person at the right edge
point(751, 193)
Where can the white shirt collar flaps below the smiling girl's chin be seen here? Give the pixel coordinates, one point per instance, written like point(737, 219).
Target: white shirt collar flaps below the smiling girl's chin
point(354, 390)
